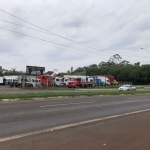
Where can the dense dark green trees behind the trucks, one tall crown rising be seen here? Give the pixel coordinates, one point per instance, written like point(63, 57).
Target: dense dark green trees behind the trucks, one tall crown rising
point(121, 69)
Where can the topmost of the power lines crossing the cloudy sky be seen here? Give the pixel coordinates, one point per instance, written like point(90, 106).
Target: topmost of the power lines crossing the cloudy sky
point(80, 43)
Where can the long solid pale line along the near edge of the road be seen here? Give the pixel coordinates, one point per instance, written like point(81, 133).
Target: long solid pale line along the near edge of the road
point(69, 125)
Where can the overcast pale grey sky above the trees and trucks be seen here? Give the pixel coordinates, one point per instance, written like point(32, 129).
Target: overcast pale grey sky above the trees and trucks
point(108, 27)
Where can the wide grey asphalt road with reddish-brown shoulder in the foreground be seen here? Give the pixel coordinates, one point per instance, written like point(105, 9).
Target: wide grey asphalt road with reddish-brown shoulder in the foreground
point(24, 118)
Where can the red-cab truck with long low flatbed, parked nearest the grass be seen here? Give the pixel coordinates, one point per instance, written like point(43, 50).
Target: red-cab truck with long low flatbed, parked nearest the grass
point(78, 82)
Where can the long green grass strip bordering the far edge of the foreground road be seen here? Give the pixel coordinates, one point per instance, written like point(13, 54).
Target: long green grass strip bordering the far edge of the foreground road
point(69, 94)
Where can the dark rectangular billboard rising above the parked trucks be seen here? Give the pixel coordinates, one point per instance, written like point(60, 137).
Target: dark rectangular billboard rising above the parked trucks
point(35, 70)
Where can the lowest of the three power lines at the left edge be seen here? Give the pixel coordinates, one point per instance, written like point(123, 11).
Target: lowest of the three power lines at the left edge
point(43, 40)
